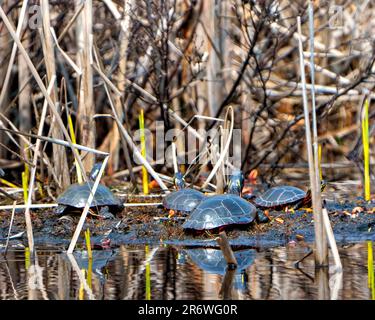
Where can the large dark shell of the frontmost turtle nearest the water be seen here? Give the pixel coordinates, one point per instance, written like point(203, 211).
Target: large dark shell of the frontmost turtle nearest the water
point(221, 210)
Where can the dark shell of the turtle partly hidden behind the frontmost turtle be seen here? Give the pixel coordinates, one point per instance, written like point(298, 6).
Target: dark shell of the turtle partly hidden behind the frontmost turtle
point(183, 200)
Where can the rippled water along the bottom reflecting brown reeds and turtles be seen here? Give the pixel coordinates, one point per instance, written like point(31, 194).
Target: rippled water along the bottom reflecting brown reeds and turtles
point(178, 273)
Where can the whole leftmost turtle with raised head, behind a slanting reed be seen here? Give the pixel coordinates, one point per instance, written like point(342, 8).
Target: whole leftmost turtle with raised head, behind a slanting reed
point(75, 197)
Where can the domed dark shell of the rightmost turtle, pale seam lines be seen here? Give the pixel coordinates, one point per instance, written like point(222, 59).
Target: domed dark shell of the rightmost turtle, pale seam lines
point(280, 196)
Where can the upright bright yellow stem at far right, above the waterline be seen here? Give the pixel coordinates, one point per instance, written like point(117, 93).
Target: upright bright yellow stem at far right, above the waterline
point(366, 150)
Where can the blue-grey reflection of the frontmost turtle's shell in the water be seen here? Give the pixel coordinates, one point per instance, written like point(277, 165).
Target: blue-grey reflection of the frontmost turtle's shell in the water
point(213, 261)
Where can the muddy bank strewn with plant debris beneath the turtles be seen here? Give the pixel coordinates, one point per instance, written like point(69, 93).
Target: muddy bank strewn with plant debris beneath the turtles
point(351, 221)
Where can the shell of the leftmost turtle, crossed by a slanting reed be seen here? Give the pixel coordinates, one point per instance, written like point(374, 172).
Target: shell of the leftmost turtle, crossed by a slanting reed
point(77, 194)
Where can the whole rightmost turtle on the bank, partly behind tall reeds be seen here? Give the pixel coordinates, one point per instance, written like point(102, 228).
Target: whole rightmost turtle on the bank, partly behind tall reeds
point(282, 196)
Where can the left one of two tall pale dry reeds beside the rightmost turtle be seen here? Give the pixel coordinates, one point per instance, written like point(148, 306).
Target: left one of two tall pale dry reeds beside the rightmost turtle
point(321, 254)
